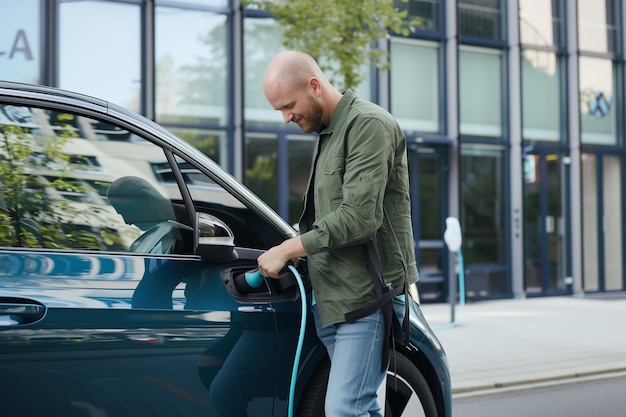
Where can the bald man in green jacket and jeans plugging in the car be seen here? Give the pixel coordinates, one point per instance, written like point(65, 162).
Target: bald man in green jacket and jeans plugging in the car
point(358, 192)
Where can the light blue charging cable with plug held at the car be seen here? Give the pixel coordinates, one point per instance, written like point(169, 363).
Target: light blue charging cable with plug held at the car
point(252, 280)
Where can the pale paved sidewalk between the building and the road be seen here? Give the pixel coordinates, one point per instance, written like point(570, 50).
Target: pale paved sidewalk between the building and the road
point(504, 343)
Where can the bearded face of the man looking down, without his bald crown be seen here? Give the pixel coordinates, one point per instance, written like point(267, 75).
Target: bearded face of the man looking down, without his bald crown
point(298, 106)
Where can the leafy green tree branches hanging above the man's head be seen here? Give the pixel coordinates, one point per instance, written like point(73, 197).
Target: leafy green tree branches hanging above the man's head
point(341, 34)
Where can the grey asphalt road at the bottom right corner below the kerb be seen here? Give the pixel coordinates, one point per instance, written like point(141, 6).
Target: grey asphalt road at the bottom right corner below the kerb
point(590, 397)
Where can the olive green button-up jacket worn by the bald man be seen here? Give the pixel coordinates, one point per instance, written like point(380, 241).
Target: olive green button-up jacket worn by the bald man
point(360, 191)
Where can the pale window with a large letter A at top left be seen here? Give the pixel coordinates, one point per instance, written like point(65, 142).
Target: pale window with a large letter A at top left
point(19, 46)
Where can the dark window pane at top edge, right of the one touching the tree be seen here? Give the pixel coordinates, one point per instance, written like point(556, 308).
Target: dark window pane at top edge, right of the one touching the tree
point(480, 19)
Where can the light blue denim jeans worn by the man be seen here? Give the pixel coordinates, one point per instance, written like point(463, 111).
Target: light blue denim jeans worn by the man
point(355, 351)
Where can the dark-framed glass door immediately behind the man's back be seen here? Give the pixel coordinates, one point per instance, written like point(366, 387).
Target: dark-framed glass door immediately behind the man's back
point(429, 190)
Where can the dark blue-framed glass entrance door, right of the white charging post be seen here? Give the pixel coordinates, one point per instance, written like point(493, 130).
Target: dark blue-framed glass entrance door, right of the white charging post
point(544, 225)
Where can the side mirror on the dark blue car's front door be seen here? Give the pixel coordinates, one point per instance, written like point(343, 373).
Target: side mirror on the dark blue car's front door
point(216, 242)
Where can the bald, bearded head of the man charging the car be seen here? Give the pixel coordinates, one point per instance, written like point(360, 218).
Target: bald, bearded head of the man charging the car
point(295, 85)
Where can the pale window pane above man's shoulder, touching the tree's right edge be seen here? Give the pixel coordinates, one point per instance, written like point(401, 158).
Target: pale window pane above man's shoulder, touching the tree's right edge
point(415, 85)
